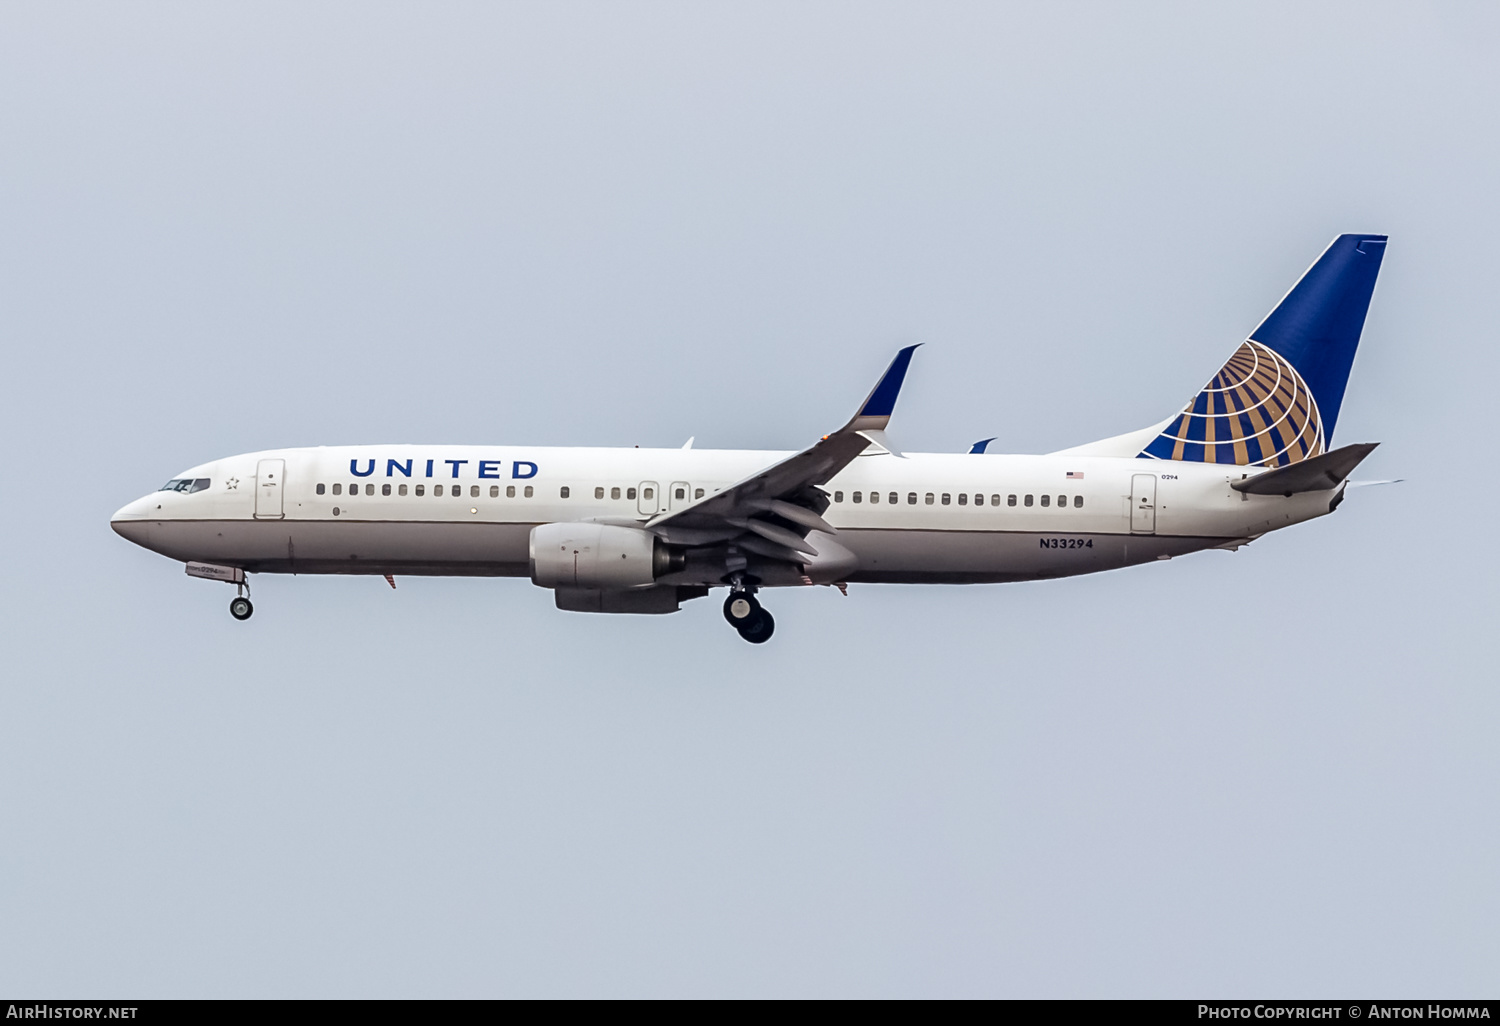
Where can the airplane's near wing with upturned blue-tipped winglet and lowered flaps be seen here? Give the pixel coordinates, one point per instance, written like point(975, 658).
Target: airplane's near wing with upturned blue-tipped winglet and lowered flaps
point(773, 511)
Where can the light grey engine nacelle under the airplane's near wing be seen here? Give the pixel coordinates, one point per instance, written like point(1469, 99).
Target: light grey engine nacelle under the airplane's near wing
point(598, 556)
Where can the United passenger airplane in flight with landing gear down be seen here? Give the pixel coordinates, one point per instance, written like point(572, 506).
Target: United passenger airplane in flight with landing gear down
point(646, 530)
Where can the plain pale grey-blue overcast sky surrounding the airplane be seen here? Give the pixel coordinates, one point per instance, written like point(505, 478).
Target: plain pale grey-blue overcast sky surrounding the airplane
point(227, 229)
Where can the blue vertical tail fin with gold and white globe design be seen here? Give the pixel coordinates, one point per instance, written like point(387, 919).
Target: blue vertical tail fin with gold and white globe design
point(1277, 400)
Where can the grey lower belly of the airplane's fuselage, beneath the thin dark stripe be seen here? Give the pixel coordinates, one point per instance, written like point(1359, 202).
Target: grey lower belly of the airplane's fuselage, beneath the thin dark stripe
point(488, 550)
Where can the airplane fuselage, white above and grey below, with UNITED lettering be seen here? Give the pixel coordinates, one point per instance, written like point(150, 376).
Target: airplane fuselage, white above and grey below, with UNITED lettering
point(470, 511)
